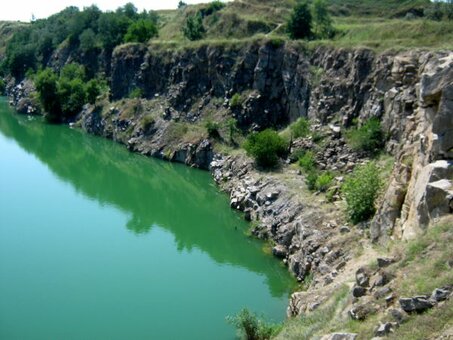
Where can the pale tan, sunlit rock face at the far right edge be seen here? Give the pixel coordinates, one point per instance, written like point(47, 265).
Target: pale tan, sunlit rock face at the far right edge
point(420, 190)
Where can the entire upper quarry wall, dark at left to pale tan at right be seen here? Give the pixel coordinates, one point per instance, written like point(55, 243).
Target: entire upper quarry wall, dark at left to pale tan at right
point(411, 93)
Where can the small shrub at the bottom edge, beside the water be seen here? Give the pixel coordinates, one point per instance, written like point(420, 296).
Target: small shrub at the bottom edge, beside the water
point(252, 327)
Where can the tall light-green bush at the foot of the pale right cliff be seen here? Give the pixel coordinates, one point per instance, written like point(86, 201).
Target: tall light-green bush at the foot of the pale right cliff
point(360, 190)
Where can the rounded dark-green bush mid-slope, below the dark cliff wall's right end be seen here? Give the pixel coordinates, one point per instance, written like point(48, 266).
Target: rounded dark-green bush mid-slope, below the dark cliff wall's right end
point(266, 147)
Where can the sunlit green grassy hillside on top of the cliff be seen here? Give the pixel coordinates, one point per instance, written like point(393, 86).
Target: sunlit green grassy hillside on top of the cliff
point(368, 23)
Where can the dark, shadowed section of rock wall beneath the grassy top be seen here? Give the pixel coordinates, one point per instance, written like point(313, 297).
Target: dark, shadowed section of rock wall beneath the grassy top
point(273, 79)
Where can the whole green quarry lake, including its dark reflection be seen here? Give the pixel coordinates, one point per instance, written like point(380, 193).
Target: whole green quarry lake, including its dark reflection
point(99, 243)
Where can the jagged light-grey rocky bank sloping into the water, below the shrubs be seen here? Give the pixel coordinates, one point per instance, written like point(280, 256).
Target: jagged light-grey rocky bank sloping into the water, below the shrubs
point(300, 232)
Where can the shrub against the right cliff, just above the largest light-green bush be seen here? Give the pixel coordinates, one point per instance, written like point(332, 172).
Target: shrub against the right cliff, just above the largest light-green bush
point(368, 137)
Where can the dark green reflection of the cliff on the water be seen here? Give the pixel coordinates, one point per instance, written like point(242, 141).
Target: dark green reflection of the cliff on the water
point(175, 197)
